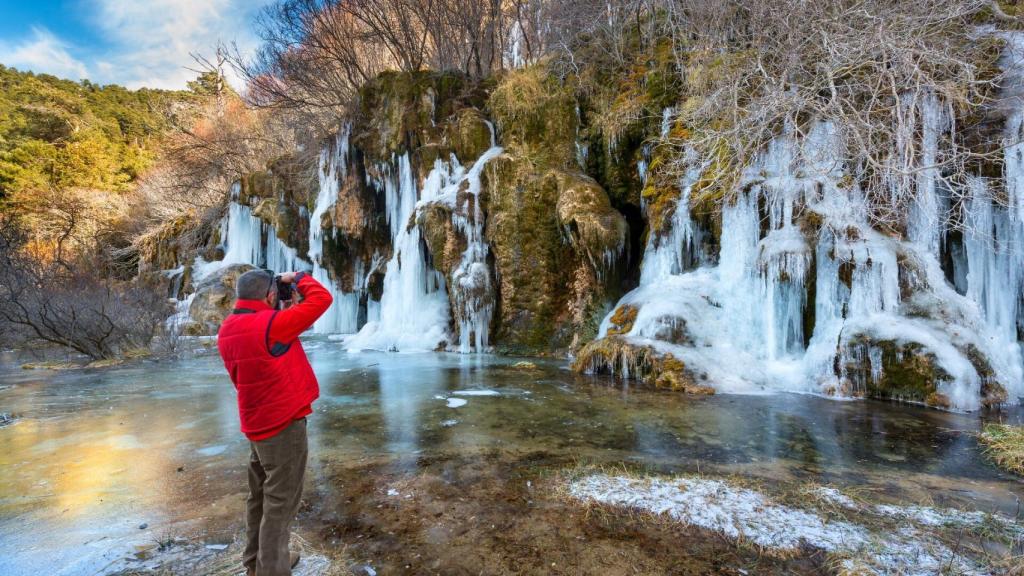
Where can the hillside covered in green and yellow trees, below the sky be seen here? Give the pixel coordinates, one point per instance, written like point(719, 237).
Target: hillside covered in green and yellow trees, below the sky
point(59, 134)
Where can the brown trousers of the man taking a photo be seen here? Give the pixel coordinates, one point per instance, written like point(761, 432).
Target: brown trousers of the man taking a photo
point(277, 468)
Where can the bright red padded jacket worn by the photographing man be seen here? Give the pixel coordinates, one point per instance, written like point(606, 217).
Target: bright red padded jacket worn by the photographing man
point(265, 358)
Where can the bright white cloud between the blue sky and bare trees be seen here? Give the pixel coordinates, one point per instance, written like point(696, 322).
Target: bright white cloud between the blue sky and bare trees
point(152, 42)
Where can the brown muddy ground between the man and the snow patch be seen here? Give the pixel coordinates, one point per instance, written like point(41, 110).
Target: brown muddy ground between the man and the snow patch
point(500, 515)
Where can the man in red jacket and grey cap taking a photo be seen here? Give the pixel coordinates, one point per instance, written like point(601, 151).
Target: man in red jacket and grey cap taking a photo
point(276, 389)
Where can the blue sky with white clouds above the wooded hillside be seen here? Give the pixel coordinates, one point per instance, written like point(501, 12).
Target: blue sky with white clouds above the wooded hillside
point(131, 43)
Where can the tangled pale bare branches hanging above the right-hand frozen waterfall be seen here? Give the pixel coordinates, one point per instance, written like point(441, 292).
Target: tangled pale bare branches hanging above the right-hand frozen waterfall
point(873, 68)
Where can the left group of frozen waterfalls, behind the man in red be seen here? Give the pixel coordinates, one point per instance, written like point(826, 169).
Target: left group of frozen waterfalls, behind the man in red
point(414, 312)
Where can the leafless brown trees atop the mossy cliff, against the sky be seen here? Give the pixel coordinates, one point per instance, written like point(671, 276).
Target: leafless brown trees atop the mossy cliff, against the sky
point(317, 55)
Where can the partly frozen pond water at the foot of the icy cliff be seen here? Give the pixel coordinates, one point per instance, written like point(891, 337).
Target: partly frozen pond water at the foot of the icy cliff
point(100, 465)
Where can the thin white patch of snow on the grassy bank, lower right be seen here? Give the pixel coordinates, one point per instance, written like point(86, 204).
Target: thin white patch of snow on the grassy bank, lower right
point(739, 513)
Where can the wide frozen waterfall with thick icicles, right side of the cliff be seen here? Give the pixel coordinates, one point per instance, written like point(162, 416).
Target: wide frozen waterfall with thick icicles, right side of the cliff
point(787, 308)
